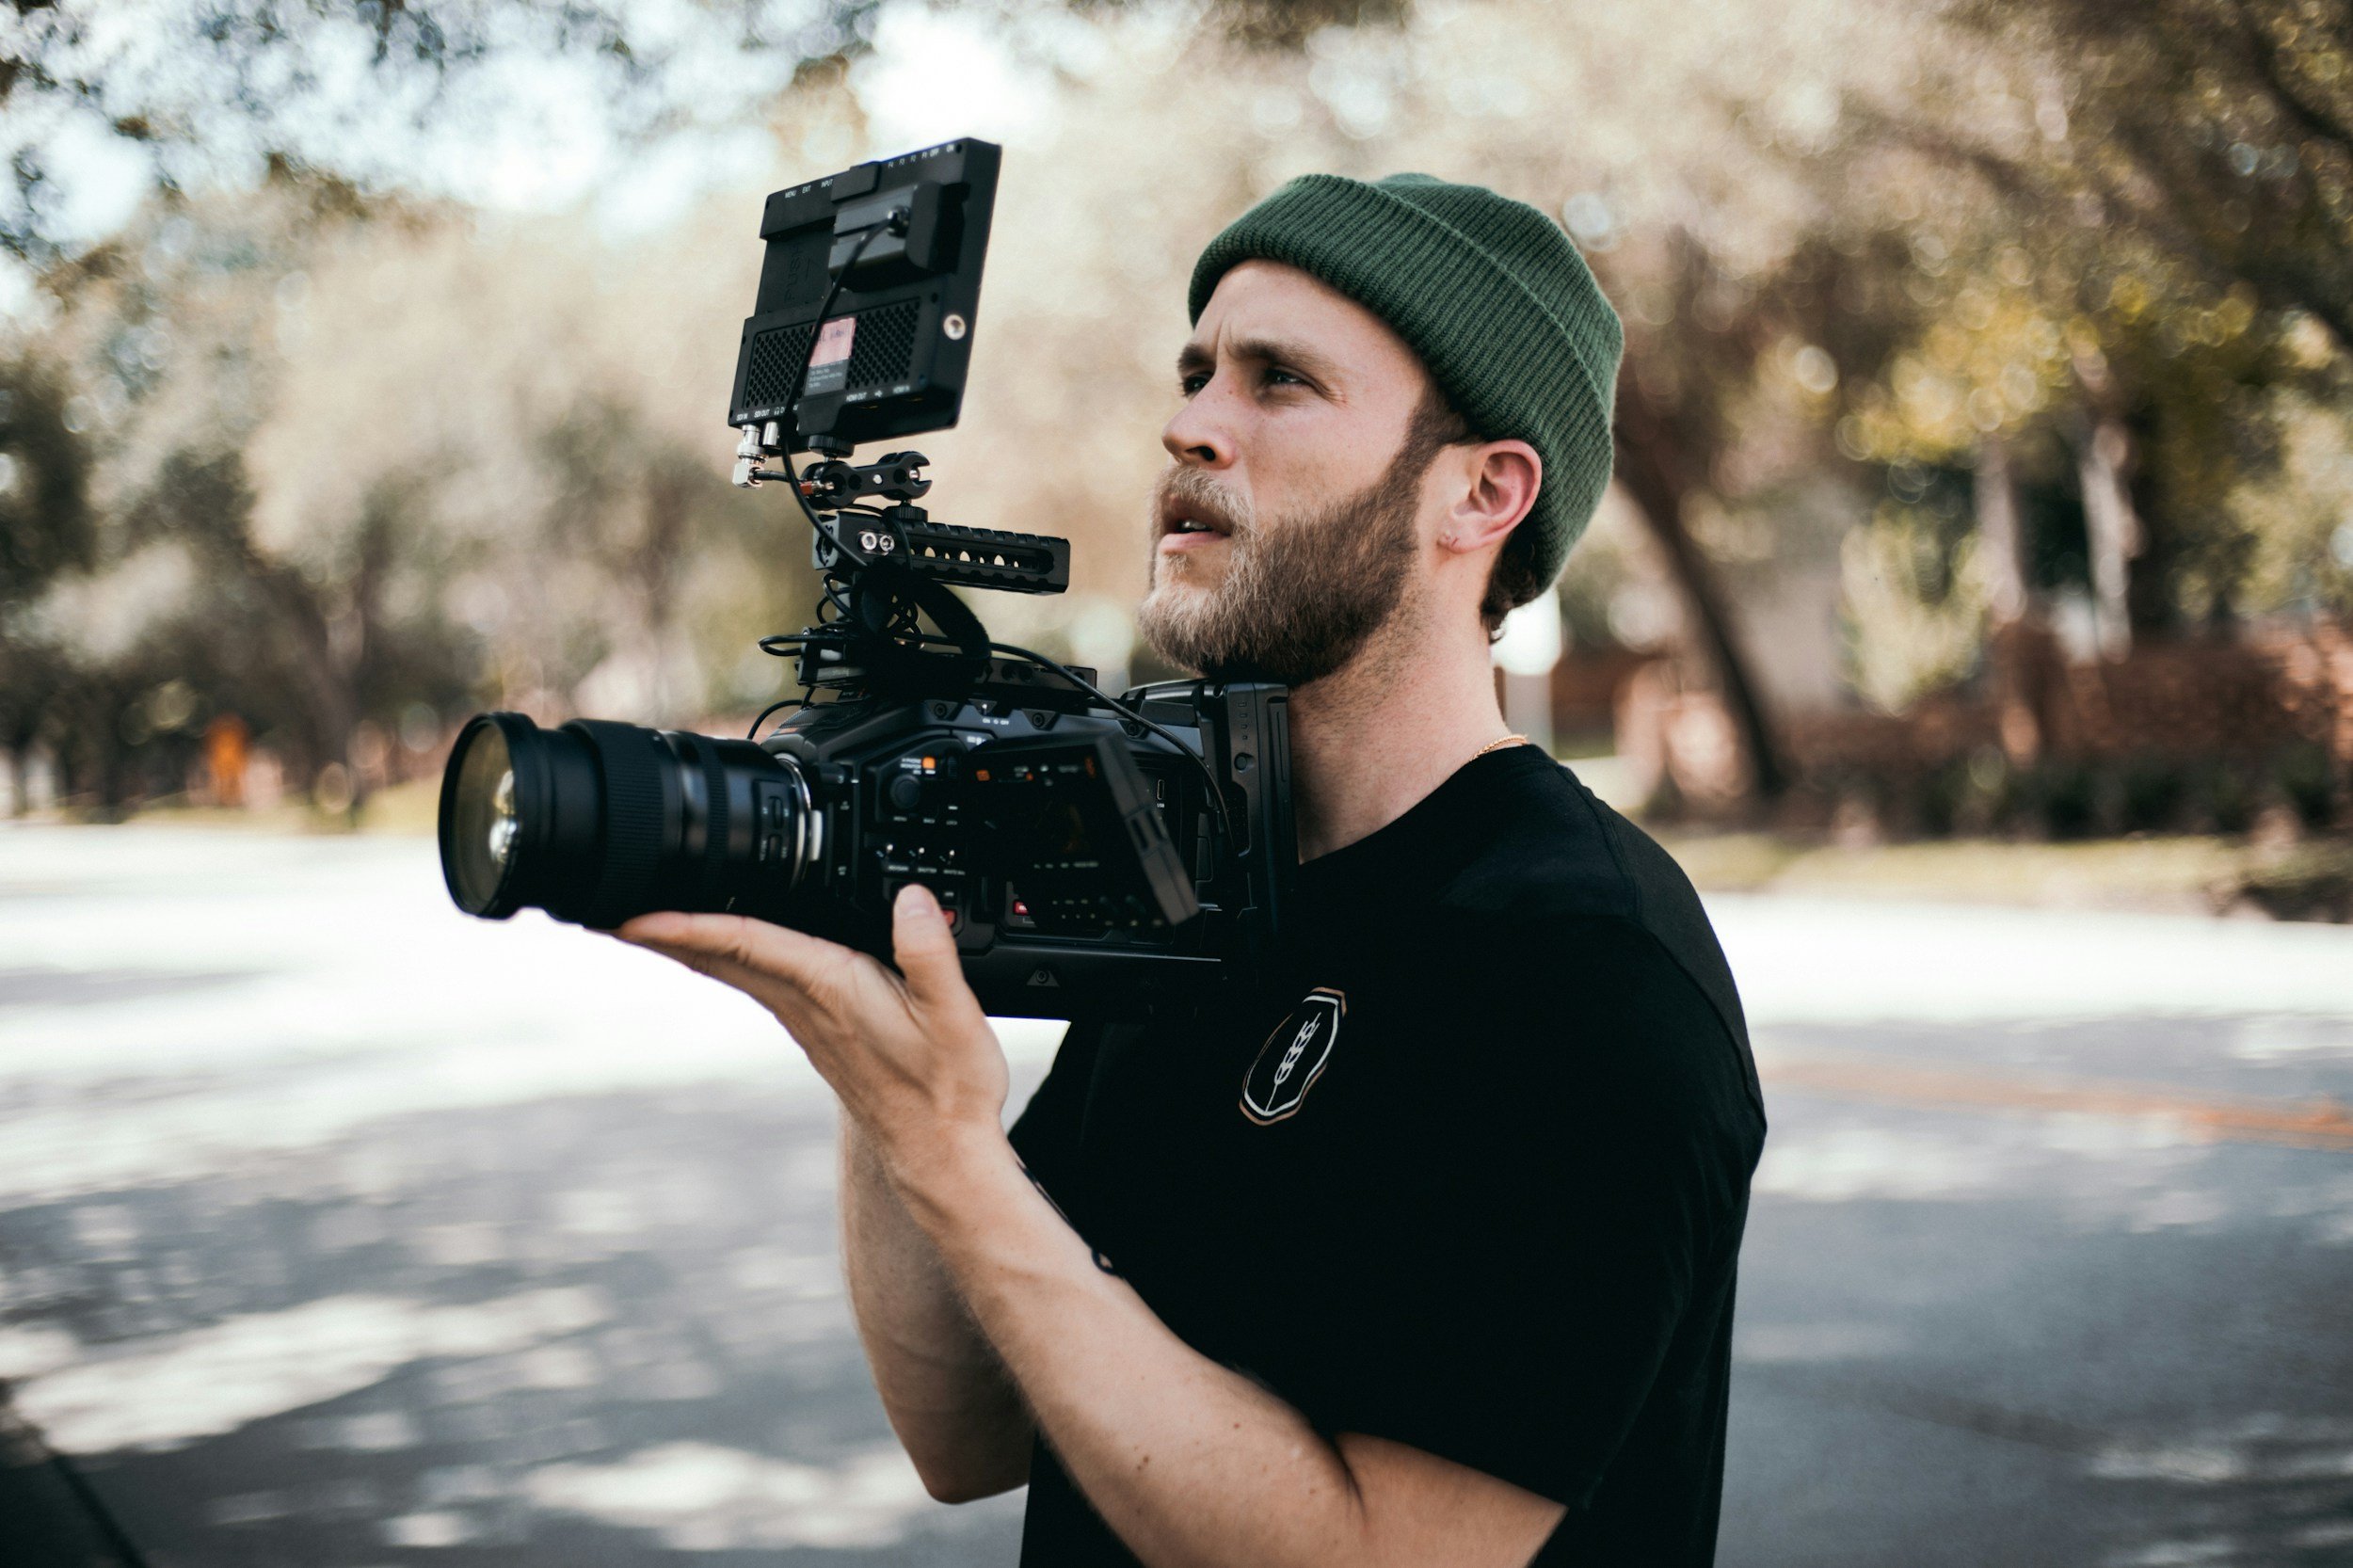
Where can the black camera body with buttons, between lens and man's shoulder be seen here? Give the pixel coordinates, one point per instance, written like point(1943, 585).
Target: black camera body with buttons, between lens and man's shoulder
point(1055, 863)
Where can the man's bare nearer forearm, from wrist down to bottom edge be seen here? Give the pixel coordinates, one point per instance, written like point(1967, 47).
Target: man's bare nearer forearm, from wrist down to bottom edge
point(1187, 1461)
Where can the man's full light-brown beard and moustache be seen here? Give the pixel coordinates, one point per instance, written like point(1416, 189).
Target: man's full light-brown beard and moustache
point(1302, 594)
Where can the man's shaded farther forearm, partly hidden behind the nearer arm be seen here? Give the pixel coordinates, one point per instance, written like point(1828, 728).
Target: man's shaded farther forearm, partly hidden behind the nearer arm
point(942, 1386)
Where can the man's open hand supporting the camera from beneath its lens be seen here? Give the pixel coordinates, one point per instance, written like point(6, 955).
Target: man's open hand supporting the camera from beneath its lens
point(912, 1056)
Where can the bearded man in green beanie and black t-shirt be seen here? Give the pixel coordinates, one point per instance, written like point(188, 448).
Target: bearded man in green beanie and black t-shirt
point(1422, 1254)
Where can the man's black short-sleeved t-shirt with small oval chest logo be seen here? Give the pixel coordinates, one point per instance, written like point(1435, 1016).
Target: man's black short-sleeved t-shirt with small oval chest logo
point(1467, 1174)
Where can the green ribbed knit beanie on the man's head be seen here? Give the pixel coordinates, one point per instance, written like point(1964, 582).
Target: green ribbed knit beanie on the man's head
point(1493, 298)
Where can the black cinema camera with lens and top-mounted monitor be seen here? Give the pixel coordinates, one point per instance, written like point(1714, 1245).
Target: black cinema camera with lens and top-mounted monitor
point(1098, 858)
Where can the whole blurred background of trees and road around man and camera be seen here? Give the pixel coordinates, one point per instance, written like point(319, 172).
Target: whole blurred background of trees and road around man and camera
point(1973, 618)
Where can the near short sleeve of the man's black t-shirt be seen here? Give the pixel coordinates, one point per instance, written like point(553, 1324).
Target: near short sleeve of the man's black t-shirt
point(1564, 1169)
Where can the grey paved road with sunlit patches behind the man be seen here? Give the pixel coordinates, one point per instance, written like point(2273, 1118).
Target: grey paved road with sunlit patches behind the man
point(340, 1230)
